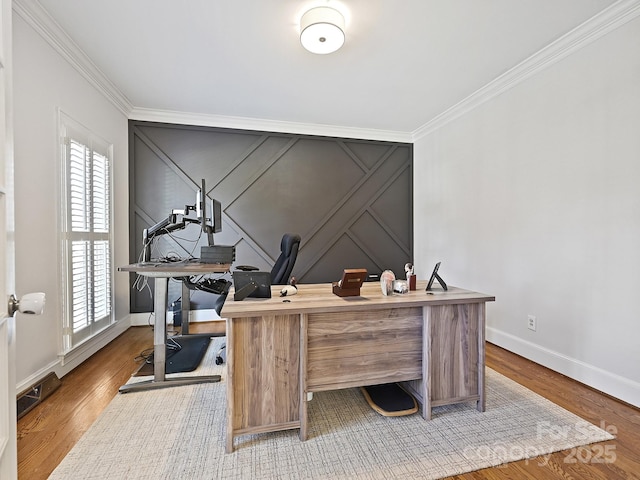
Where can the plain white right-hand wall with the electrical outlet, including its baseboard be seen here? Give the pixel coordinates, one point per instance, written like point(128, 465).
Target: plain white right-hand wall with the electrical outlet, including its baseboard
point(534, 197)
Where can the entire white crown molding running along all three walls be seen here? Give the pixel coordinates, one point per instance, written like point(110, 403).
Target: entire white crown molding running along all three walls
point(599, 25)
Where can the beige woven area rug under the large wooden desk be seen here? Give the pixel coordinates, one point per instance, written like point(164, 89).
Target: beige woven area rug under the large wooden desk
point(179, 433)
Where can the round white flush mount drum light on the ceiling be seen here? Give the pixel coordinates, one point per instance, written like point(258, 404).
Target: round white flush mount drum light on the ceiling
point(322, 30)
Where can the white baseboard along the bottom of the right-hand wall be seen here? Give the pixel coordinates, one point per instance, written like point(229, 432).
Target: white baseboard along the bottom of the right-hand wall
point(619, 387)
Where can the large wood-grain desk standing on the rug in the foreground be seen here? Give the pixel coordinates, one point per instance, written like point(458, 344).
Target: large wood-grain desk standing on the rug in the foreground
point(279, 351)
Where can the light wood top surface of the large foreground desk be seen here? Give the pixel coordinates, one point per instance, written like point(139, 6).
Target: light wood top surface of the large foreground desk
point(312, 298)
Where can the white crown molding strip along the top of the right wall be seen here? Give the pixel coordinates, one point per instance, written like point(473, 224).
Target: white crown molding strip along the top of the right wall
point(597, 26)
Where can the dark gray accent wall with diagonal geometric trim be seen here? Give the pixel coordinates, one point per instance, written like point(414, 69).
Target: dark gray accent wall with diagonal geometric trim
point(350, 200)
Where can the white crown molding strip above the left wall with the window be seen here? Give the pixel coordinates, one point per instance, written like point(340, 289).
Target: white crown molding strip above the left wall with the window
point(32, 12)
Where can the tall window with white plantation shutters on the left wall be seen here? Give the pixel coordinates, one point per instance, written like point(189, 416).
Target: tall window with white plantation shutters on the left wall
point(86, 233)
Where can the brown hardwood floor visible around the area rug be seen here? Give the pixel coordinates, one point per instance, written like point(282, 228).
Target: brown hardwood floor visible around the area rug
point(50, 430)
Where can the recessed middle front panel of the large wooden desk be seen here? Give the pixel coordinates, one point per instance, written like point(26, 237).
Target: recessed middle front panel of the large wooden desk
point(363, 348)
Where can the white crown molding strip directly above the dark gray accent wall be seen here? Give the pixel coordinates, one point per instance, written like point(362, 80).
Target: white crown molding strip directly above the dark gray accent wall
point(246, 123)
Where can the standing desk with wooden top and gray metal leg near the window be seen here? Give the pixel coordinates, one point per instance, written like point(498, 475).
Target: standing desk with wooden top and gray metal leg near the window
point(161, 272)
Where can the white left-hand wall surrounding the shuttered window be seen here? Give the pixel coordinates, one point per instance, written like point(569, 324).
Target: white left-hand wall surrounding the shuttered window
point(44, 82)
